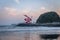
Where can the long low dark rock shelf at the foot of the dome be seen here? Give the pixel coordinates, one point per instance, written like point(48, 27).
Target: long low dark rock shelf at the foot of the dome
point(37, 25)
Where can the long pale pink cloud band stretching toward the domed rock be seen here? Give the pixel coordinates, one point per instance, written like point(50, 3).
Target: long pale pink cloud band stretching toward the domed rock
point(20, 13)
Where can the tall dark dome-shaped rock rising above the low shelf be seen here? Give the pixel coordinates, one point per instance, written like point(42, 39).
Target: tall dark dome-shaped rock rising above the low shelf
point(48, 17)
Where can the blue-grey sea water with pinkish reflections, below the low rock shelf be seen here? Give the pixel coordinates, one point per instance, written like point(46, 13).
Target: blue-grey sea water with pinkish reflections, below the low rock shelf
point(26, 33)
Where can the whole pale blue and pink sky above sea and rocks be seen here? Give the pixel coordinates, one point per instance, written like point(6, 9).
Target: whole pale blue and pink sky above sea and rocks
point(13, 11)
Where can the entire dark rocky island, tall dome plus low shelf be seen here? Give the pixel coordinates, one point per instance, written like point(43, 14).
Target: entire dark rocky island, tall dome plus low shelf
point(46, 19)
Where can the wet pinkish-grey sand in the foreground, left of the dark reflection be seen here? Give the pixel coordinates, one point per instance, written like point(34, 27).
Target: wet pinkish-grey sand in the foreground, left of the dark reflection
point(20, 36)
